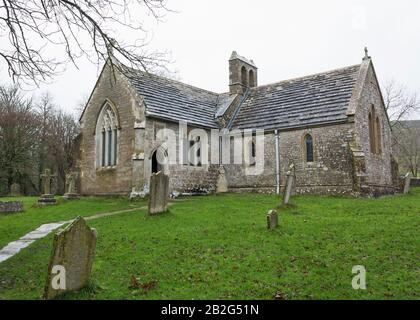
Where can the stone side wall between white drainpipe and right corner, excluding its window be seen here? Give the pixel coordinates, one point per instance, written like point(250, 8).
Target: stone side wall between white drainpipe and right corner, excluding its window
point(331, 171)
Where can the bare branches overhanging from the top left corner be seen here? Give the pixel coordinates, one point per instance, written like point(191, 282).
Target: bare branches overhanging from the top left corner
point(28, 29)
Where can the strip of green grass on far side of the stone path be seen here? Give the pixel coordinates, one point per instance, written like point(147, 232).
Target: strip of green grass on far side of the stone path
point(13, 226)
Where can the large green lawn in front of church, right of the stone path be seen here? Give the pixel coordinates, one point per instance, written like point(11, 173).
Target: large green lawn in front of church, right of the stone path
point(218, 247)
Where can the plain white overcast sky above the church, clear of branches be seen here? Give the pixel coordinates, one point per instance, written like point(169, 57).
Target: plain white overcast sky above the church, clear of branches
point(285, 39)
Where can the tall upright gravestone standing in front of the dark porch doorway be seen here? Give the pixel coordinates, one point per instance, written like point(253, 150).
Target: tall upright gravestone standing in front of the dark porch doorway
point(159, 193)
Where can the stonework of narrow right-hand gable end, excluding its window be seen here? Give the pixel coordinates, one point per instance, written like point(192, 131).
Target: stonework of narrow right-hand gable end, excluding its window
point(378, 166)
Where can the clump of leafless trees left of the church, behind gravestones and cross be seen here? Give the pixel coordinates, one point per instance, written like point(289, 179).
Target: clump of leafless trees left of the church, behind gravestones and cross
point(34, 135)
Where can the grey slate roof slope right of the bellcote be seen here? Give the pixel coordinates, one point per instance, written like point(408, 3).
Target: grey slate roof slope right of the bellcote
point(310, 100)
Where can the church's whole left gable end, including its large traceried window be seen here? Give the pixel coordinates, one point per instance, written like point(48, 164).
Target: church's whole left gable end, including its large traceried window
point(107, 130)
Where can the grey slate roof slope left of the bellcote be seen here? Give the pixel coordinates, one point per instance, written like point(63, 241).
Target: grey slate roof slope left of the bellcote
point(175, 101)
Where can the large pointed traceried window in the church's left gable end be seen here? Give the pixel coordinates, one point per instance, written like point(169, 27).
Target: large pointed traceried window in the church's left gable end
point(107, 137)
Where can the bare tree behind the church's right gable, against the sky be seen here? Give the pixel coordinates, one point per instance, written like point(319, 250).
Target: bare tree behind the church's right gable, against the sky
point(399, 102)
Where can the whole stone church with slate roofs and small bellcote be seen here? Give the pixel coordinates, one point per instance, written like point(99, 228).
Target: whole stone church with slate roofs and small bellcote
point(331, 128)
